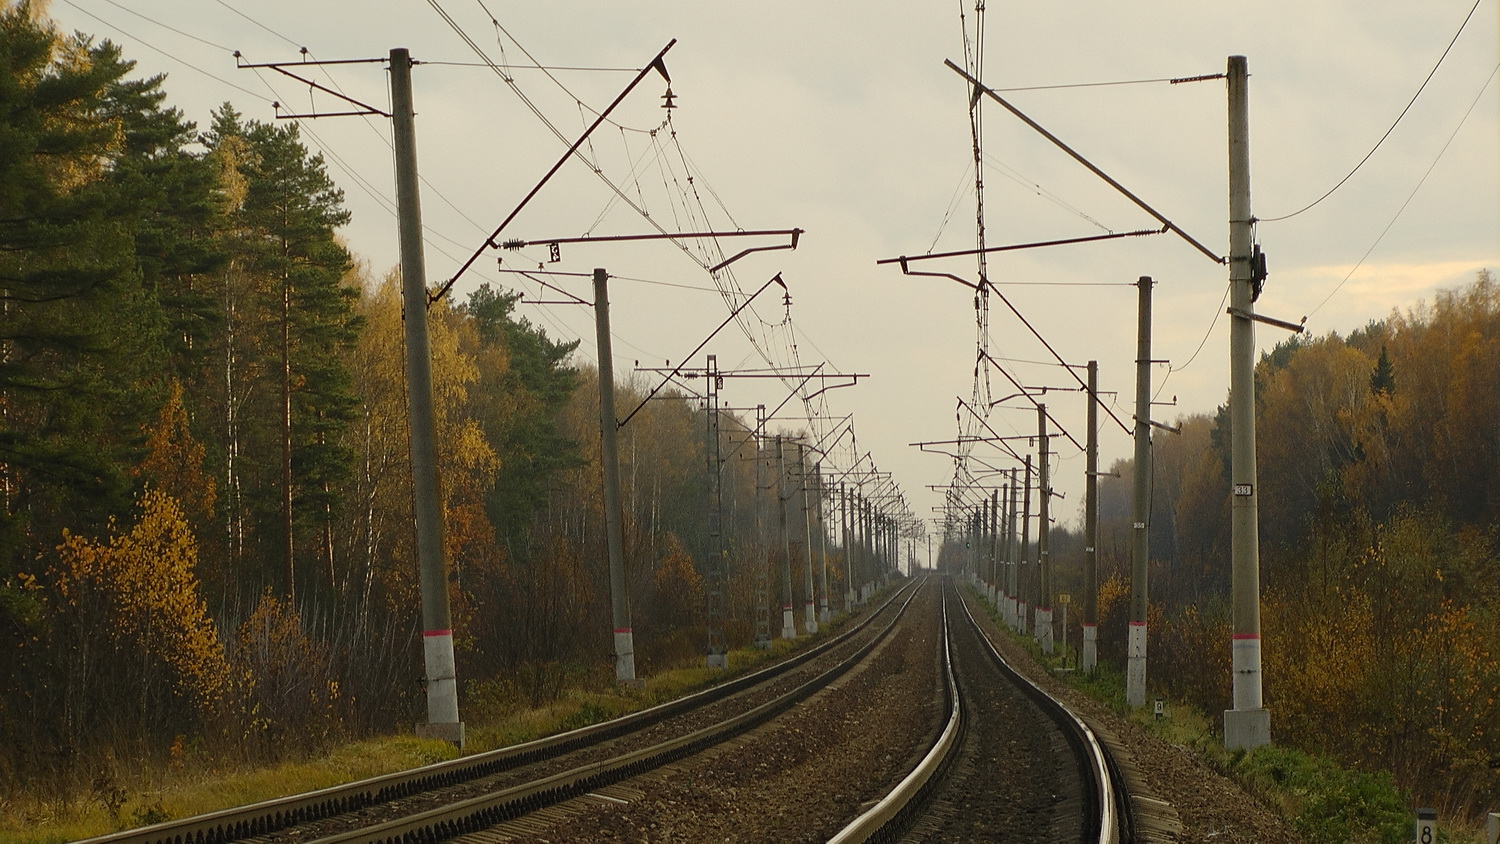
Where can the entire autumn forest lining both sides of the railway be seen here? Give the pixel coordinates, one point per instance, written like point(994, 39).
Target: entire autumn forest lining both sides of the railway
point(206, 531)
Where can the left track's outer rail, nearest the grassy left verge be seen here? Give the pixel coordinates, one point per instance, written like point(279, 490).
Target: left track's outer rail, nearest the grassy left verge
point(280, 813)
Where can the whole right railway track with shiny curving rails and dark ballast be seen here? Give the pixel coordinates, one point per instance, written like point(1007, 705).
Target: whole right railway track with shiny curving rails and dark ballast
point(986, 777)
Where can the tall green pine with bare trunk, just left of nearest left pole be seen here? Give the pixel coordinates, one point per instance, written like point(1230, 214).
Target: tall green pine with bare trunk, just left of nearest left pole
point(292, 325)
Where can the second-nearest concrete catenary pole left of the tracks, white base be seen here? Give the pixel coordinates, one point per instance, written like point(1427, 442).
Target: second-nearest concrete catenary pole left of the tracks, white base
point(614, 519)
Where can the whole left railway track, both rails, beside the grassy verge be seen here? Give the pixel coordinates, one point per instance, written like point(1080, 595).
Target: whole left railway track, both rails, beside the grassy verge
point(448, 800)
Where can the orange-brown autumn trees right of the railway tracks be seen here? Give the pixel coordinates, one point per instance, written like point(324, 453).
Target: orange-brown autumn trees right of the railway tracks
point(1379, 467)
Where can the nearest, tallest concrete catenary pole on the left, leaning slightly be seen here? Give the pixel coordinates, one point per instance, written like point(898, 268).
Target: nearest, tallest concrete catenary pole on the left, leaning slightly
point(437, 626)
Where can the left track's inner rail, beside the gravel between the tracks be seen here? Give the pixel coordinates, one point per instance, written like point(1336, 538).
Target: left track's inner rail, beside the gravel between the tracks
point(484, 812)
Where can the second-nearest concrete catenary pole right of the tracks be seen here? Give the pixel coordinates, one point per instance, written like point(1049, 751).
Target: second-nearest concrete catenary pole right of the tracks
point(1141, 507)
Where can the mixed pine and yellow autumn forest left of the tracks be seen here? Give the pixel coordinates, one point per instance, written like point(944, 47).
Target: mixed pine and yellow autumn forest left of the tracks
point(206, 531)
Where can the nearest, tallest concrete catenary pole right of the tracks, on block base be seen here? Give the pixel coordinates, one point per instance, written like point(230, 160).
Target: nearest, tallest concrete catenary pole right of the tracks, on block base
point(1249, 723)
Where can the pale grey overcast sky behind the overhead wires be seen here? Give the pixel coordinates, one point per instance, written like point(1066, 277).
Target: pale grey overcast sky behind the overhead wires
point(841, 119)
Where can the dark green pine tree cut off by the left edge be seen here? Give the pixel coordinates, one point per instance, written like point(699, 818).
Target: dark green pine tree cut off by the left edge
point(77, 331)
